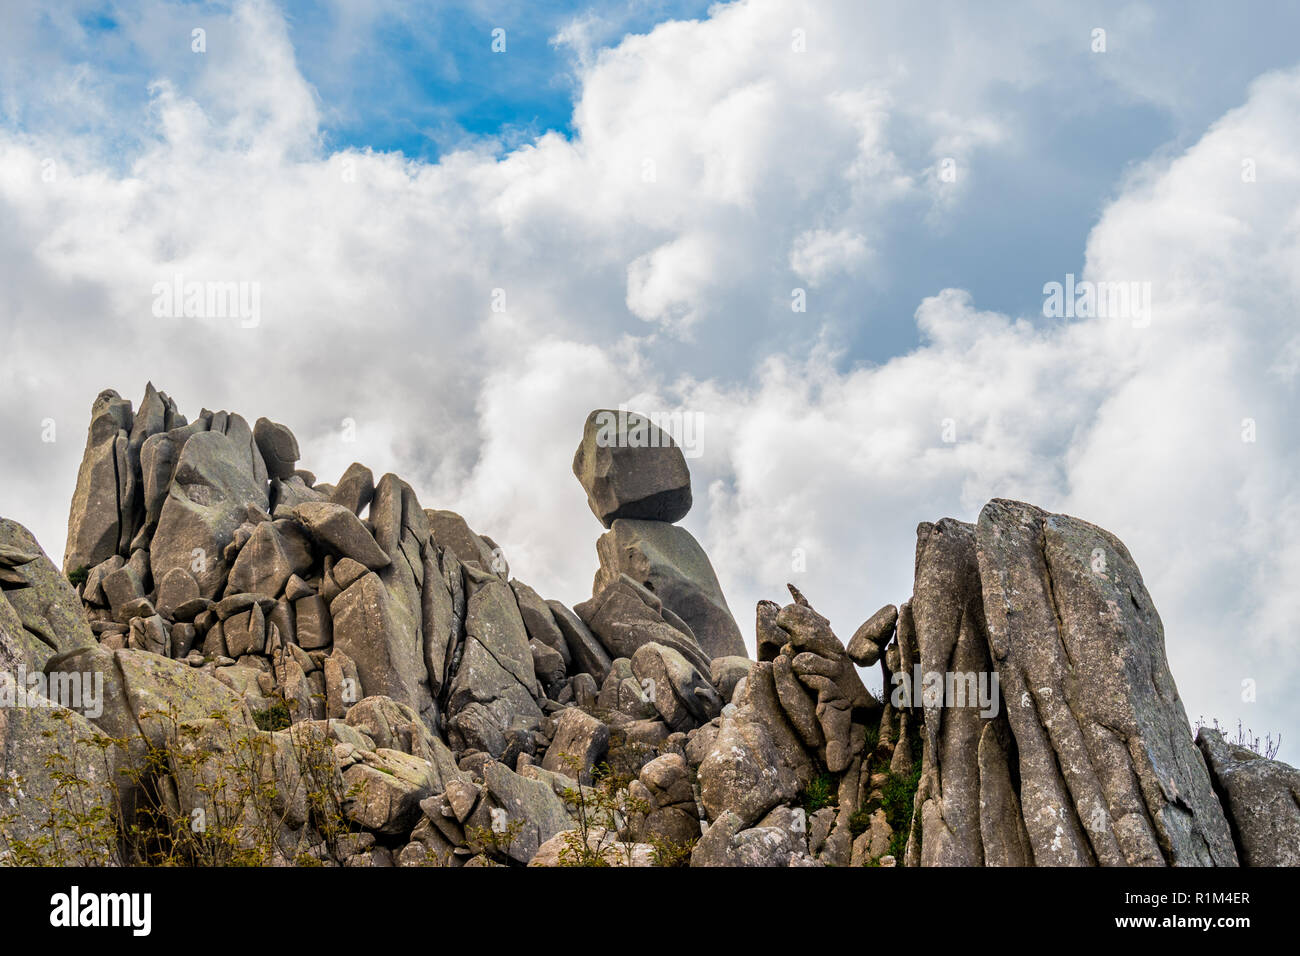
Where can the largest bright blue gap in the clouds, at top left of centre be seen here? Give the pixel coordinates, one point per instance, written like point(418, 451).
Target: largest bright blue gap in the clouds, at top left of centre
point(431, 80)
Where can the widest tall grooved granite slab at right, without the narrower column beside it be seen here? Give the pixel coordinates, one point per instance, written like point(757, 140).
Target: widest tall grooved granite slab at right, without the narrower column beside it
point(1108, 769)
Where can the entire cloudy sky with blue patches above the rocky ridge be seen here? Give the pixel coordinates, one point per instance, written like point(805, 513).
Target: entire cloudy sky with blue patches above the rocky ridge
point(825, 232)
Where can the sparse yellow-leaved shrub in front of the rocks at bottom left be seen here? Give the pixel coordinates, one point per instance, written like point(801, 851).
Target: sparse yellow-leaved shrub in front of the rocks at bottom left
point(207, 794)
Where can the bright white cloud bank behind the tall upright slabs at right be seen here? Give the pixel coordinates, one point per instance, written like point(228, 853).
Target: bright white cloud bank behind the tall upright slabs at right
point(1139, 430)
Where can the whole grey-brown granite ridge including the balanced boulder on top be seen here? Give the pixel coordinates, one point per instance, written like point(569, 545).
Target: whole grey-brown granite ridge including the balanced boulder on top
point(469, 721)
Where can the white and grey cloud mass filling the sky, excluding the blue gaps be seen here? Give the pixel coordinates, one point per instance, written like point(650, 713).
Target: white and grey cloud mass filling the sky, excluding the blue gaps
point(454, 322)
